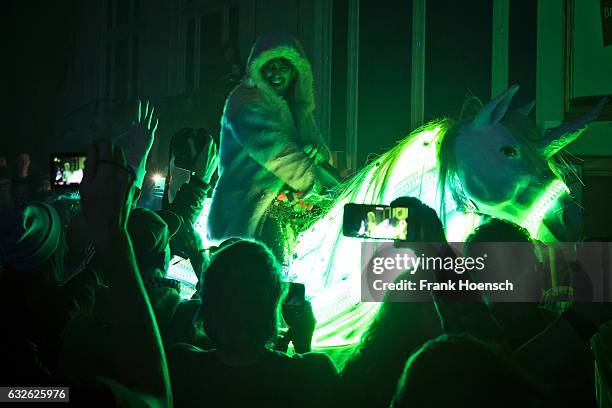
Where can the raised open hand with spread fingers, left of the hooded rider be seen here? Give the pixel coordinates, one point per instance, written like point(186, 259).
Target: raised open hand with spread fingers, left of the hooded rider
point(141, 138)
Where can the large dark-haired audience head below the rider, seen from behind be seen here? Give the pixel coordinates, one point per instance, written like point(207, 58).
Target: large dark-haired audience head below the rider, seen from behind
point(241, 294)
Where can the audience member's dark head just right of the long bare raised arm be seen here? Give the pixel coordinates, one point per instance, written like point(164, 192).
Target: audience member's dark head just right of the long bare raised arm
point(150, 233)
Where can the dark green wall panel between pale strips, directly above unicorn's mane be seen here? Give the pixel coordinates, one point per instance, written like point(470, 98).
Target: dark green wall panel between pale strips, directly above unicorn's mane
point(384, 75)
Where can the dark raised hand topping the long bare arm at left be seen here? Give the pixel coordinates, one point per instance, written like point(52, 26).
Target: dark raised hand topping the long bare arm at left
point(106, 192)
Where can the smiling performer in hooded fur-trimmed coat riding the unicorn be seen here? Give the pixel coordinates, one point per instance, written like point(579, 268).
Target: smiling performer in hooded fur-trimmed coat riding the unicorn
point(266, 129)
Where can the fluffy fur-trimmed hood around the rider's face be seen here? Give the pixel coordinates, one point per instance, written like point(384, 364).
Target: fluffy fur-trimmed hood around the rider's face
point(281, 45)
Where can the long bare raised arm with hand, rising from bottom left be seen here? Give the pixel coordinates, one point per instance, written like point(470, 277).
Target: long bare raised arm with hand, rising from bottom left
point(106, 192)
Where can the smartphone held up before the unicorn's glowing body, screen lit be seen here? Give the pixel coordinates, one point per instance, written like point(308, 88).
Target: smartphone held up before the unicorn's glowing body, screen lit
point(375, 222)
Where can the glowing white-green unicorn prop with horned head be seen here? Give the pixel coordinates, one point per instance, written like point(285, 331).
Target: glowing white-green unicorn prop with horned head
point(497, 164)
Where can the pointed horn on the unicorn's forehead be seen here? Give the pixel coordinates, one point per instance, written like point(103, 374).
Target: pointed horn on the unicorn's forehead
point(557, 138)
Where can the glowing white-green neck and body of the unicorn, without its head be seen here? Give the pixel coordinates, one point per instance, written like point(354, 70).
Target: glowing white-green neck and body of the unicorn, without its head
point(328, 262)
